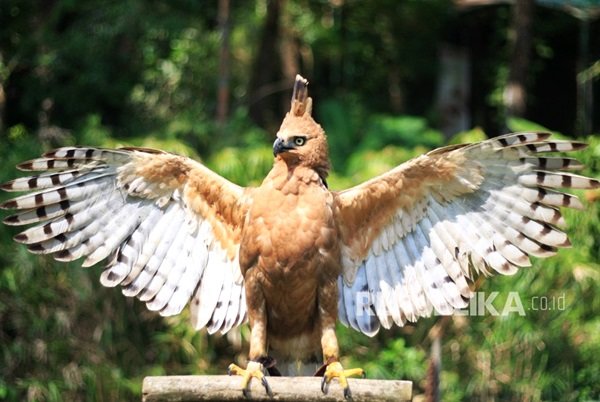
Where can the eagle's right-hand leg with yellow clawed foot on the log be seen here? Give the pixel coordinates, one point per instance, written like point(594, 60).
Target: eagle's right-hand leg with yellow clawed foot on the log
point(332, 367)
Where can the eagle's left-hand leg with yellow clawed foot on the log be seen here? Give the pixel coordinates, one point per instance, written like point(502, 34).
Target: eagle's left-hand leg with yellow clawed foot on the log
point(257, 357)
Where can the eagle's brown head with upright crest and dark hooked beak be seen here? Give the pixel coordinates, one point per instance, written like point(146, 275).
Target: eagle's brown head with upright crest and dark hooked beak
point(300, 140)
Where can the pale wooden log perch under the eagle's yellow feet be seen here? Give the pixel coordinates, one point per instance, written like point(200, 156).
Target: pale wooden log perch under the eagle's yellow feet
point(289, 389)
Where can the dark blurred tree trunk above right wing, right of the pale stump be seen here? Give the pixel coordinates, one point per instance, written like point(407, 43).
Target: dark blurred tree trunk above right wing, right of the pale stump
point(515, 93)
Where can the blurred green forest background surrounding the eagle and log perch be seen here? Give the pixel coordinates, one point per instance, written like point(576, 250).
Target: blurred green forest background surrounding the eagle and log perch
point(212, 79)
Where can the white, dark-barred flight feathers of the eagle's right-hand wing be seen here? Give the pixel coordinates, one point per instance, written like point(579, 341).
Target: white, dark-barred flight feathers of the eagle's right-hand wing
point(422, 259)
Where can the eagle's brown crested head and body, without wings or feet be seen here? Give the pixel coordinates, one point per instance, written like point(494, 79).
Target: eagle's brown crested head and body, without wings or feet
point(289, 253)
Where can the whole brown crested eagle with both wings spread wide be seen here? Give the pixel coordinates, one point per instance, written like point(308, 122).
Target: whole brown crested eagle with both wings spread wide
point(292, 257)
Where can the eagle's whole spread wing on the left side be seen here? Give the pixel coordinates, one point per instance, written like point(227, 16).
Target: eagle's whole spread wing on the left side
point(168, 226)
